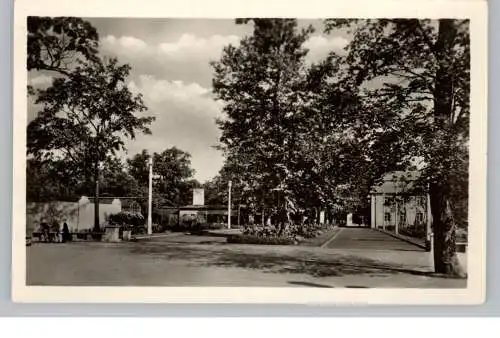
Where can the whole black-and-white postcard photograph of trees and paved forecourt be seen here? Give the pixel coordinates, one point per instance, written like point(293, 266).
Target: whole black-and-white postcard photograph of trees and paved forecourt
point(328, 153)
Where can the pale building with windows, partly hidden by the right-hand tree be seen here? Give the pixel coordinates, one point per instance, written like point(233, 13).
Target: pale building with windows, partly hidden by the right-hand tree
point(399, 206)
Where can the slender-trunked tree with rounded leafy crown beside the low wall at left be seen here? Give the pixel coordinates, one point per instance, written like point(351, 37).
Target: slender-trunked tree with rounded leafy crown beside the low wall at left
point(85, 117)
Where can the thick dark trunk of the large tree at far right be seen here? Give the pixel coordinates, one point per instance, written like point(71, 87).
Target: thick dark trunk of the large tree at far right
point(444, 227)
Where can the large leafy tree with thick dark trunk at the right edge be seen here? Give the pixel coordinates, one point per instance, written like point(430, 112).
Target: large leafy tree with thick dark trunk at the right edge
point(412, 83)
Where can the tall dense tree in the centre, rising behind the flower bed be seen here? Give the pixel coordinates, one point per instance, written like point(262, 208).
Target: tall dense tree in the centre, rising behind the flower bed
point(260, 83)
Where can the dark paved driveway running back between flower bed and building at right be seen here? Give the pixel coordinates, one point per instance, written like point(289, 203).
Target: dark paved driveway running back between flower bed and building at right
point(365, 238)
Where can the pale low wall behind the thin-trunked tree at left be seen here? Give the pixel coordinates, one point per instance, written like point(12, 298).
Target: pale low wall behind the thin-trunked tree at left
point(78, 215)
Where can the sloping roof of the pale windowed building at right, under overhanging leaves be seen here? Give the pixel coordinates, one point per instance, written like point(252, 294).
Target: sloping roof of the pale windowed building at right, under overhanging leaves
point(397, 182)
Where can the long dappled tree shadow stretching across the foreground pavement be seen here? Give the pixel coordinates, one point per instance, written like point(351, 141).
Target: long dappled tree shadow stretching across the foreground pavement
point(299, 262)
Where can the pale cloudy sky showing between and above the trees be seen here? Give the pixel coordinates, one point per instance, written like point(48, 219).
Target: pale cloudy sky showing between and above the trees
point(170, 67)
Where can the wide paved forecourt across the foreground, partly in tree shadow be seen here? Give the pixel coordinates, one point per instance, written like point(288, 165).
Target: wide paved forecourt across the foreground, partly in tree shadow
point(182, 260)
